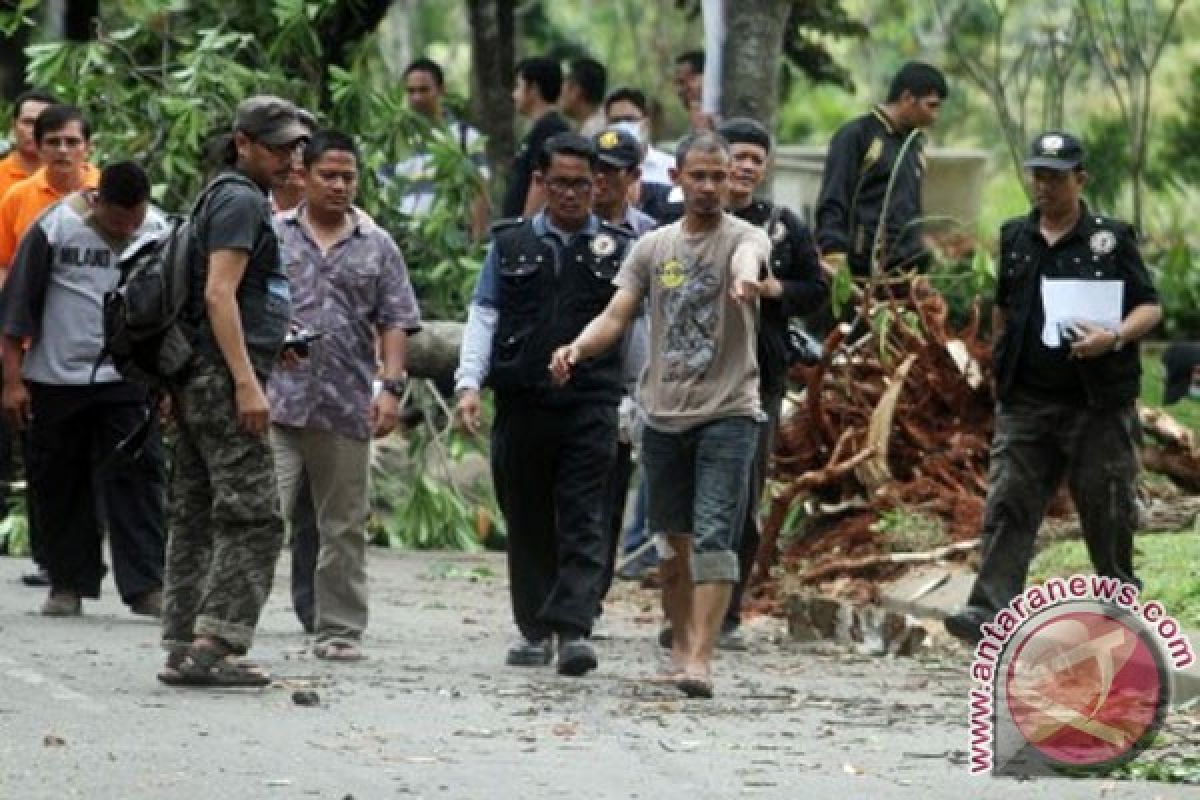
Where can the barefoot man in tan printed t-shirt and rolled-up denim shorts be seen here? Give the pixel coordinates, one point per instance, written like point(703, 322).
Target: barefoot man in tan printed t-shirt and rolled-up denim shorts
point(700, 394)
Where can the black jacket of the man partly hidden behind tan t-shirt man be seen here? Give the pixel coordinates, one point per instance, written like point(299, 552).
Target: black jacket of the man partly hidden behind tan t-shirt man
point(796, 263)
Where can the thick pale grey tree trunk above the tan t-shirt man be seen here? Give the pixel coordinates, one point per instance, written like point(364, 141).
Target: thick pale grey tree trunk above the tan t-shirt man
point(752, 58)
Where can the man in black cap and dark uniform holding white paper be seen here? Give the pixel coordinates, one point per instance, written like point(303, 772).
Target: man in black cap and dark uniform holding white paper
point(1067, 388)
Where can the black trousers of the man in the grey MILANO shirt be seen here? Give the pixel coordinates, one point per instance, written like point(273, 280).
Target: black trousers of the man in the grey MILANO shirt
point(77, 478)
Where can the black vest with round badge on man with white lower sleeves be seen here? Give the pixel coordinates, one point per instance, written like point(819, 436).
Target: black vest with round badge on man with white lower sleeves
point(548, 293)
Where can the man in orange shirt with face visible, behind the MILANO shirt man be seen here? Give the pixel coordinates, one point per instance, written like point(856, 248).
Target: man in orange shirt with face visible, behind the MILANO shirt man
point(64, 141)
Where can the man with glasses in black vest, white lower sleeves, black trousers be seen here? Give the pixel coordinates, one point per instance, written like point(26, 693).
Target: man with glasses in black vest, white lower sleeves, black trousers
point(553, 448)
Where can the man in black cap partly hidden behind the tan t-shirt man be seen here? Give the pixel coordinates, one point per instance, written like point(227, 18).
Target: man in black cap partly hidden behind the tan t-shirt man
point(795, 287)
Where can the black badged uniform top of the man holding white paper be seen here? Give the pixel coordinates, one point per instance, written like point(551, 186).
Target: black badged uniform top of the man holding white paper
point(1099, 249)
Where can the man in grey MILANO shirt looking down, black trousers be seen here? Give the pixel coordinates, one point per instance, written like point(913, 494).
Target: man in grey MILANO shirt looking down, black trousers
point(79, 413)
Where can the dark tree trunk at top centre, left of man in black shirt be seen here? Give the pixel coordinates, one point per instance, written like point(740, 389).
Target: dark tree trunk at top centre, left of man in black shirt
point(493, 32)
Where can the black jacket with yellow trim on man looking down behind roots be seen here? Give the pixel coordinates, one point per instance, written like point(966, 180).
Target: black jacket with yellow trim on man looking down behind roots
point(859, 167)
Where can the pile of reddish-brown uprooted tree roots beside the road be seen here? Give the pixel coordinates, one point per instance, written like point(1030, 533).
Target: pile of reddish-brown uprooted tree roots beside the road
point(897, 420)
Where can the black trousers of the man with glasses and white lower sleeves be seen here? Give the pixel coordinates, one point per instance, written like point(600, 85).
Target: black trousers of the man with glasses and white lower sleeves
point(550, 467)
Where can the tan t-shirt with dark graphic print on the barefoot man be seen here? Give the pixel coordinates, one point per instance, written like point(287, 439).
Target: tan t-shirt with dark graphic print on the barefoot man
point(703, 344)
